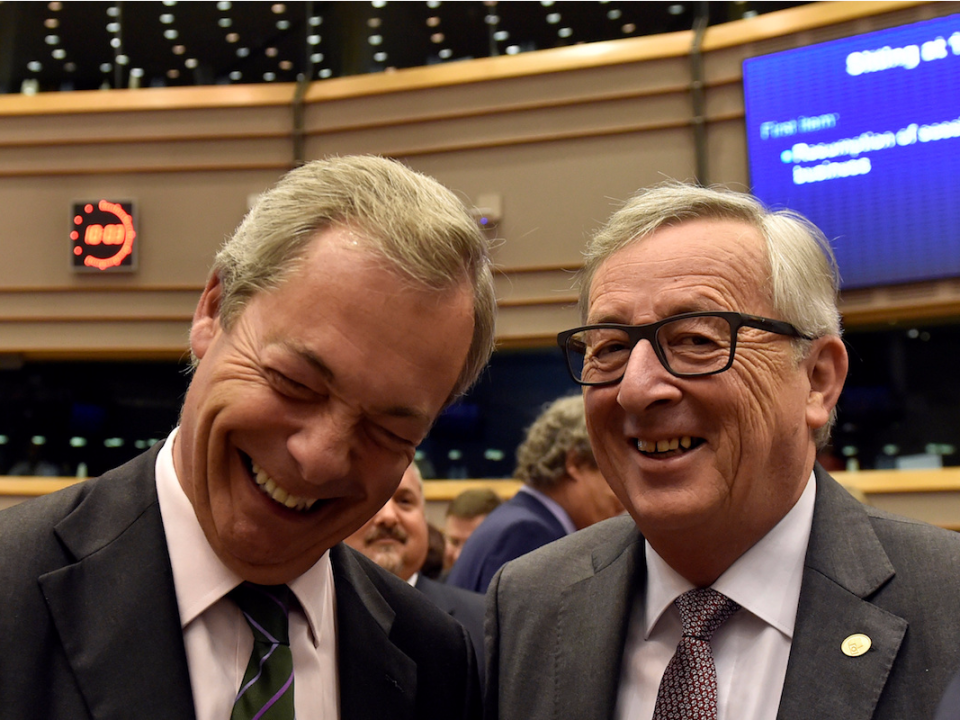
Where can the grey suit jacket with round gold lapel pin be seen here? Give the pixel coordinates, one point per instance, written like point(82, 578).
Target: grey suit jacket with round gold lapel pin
point(557, 619)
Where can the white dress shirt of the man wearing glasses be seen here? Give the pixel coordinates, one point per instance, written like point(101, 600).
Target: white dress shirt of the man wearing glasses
point(750, 650)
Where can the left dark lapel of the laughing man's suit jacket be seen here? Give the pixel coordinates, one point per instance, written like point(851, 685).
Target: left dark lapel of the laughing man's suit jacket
point(115, 608)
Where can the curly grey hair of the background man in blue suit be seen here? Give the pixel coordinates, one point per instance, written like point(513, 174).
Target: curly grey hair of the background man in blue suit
point(560, 429)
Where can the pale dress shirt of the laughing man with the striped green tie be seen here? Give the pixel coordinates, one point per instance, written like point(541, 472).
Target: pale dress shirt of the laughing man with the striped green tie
point(217, 638)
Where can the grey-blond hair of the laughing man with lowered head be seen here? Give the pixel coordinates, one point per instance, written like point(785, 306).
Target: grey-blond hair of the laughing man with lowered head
point(416, 226)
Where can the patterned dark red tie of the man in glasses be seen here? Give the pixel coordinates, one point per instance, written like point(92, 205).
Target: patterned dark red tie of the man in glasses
point(688, 689)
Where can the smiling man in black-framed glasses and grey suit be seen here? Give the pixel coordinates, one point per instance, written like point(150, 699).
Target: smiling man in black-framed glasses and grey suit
point(745, 583)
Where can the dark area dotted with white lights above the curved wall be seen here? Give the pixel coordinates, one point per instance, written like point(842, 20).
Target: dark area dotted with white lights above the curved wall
point(89, 44)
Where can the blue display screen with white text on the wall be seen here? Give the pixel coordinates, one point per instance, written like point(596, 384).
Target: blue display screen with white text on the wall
point(862, 136)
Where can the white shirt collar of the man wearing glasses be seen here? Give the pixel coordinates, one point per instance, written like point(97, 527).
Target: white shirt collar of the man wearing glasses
point(765, 580)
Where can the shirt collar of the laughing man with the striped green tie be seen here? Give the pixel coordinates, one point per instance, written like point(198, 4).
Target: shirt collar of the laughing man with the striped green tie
point(199, 577)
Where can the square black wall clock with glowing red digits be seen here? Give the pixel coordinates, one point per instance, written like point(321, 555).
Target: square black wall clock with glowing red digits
point(103, 236)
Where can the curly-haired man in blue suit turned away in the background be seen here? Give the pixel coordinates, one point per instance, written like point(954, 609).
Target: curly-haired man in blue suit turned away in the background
point(563, 492)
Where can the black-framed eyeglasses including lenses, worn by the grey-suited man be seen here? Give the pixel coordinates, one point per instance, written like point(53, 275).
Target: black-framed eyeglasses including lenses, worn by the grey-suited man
point(687, 345)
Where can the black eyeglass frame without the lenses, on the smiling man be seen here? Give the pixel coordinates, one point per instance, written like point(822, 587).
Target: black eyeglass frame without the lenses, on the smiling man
point(648, 332)
